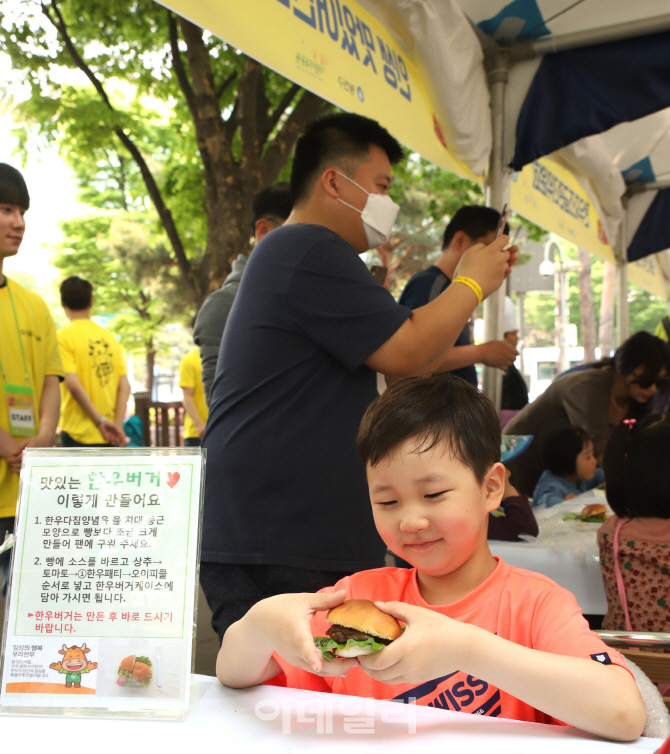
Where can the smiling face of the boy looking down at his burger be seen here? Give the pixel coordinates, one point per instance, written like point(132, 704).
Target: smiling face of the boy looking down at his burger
point(430, 509)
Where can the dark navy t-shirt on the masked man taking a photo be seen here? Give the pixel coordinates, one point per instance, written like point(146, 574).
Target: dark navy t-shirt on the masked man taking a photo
point(284, 485)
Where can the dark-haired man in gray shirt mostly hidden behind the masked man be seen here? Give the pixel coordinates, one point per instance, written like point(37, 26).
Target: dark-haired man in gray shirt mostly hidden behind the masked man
point(270, 208)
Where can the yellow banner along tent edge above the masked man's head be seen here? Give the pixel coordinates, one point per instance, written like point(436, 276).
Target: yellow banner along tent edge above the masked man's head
point(336, 49)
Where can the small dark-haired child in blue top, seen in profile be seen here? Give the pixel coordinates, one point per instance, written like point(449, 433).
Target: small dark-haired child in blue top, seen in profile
point(570, 467)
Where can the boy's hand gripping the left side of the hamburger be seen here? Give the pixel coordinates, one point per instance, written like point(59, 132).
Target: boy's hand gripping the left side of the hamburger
point(284, 622)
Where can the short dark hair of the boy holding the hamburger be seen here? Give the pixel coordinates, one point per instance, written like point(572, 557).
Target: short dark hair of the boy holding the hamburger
point(441, 408)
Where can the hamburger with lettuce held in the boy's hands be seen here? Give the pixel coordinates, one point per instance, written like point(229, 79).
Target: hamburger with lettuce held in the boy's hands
point(359, 628)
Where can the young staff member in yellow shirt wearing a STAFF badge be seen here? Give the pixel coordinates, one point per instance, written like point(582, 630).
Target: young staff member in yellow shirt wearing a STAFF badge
point(30, 366)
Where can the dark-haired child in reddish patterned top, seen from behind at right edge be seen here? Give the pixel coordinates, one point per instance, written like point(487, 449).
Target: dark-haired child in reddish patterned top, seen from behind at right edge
point(635, 543)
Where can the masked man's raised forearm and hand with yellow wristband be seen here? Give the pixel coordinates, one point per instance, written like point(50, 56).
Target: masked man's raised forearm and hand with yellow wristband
point(433, 328)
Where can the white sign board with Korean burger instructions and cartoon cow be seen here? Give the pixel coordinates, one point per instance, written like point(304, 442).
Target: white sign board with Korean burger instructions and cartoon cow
point(102, 595)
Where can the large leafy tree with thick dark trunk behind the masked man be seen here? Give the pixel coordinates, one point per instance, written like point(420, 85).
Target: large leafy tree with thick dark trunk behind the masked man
point(222, 128)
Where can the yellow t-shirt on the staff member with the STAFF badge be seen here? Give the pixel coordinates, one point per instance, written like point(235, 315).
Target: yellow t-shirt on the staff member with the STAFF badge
point(38, 334)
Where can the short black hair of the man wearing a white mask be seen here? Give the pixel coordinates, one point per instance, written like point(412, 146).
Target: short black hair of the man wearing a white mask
point(342, 140)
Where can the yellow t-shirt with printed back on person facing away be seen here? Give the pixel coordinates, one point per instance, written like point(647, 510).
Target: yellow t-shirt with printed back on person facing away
point(92, 353)
